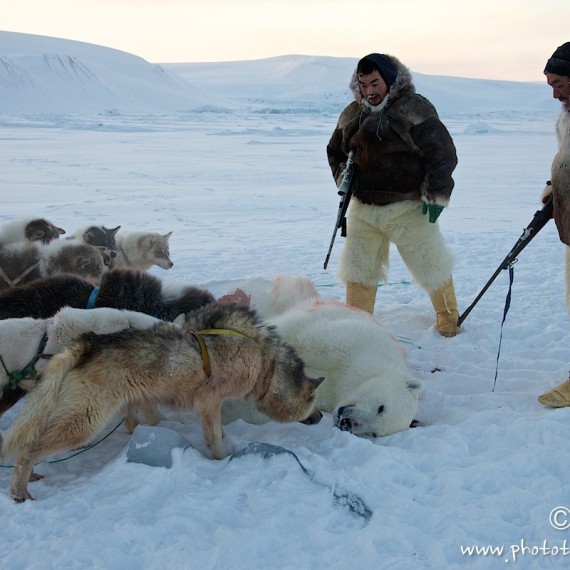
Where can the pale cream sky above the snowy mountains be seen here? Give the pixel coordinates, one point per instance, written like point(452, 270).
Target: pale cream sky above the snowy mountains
point(491, 39)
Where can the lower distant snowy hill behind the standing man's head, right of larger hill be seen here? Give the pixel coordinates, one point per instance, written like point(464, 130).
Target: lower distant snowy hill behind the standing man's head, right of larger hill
point(317, 84)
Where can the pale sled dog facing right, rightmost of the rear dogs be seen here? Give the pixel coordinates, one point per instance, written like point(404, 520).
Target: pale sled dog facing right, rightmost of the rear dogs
point(142, 250)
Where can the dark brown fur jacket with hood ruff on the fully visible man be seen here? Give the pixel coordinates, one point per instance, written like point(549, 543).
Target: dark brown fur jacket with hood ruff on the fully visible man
point(402, 150)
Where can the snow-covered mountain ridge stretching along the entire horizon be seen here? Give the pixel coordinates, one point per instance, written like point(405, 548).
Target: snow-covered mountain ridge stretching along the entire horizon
point(40, 74)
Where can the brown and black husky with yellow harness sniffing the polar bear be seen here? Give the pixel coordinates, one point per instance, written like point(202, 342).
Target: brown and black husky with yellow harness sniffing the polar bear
point(221, 352)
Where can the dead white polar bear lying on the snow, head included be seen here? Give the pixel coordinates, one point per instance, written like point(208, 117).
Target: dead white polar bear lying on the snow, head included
point(368, 387)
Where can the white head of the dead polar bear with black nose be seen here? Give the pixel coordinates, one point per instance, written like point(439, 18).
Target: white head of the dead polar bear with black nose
point(380, 406)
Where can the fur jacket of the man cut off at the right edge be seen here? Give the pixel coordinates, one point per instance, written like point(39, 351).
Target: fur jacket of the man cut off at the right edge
point(560, 176)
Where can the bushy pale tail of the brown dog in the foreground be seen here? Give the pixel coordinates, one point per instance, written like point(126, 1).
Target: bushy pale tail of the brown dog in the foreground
point(40, 405)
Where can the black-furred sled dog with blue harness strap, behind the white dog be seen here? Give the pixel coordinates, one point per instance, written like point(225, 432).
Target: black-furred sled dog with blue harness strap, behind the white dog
point(119, 289)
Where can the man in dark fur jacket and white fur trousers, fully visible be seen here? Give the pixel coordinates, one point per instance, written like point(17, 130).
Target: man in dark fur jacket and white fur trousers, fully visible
point(403, 158)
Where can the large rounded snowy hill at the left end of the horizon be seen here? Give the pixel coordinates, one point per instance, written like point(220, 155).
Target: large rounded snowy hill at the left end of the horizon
point(49, 75)
